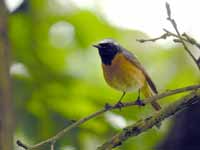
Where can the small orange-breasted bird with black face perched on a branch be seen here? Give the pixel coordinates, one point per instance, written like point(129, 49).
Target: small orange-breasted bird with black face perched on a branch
point(123, 71)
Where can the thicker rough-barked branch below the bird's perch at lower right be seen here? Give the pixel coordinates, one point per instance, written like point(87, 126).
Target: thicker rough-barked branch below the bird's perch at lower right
point(147, 123)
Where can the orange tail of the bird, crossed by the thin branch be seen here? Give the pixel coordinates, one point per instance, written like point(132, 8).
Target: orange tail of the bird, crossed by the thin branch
point(147, 92)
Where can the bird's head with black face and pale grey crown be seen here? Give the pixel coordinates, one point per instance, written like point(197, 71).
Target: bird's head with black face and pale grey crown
point(107, 51)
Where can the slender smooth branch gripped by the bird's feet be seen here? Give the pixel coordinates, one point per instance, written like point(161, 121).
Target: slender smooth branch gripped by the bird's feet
point(103, 110)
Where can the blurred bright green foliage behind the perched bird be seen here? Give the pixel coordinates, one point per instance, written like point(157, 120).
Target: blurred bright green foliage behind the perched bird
point(57, 76)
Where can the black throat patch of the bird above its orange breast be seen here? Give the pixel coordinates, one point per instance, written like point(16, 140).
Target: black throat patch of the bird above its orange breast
point(106, 57)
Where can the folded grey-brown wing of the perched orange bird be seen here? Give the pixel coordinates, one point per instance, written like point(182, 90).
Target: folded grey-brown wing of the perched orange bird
point(135, 61)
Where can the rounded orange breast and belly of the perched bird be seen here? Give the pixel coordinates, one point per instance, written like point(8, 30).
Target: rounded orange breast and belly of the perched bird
point(123, 75)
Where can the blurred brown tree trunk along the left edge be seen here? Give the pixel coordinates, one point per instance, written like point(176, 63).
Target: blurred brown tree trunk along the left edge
point(6, 119)
